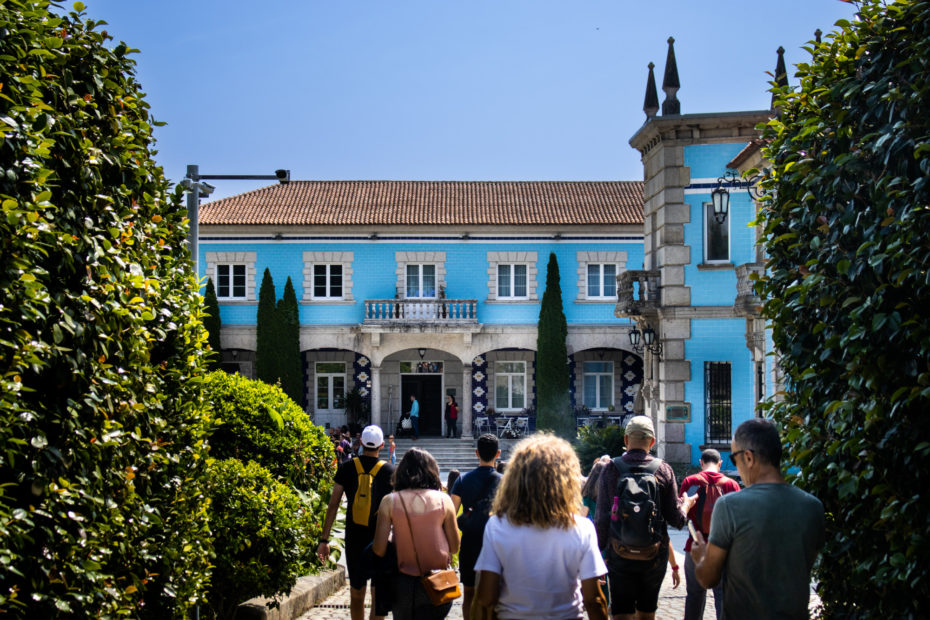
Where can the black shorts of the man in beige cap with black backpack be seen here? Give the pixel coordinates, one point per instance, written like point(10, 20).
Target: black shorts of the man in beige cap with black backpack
point(634, 584)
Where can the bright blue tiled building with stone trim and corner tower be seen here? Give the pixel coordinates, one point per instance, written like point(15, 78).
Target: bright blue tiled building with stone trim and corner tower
point(434, 288)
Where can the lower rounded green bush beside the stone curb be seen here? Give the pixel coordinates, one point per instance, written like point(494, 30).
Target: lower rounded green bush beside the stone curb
point(265, 536)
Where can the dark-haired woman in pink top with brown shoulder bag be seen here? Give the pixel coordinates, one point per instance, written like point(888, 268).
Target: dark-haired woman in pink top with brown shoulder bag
point(422, 519)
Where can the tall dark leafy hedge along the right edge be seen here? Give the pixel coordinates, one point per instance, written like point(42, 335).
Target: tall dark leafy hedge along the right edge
point(847, 290)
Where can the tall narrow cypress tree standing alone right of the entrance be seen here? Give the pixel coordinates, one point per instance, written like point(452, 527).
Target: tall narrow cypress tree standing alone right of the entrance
point(552, 380)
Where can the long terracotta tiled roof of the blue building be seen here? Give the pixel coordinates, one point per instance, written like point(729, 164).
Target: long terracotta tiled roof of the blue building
point(411, 203)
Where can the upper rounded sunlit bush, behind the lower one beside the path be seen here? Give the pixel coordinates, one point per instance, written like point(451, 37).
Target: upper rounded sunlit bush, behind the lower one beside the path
point(258, 422)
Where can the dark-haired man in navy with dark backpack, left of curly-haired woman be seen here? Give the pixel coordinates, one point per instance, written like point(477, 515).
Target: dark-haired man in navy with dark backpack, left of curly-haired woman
point(474, 492)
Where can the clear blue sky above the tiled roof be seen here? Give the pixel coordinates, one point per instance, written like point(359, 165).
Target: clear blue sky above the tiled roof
point(440, 89)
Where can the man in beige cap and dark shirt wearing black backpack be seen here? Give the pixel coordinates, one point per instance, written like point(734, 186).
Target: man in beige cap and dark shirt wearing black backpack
point(637, 498)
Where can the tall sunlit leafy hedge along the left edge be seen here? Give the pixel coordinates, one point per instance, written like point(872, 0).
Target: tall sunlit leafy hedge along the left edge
point(101, 425)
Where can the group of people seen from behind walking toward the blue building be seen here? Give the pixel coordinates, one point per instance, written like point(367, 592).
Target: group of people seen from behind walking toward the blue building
point(526, 550)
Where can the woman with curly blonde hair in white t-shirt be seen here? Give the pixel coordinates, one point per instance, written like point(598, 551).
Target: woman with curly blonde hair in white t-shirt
point(540, 558)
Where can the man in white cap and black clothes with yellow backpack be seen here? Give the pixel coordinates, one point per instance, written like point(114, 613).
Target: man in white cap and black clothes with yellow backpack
point(364, 480)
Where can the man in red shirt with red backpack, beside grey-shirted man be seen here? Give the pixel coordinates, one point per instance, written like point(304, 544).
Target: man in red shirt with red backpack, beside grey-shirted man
point(707, 486)
